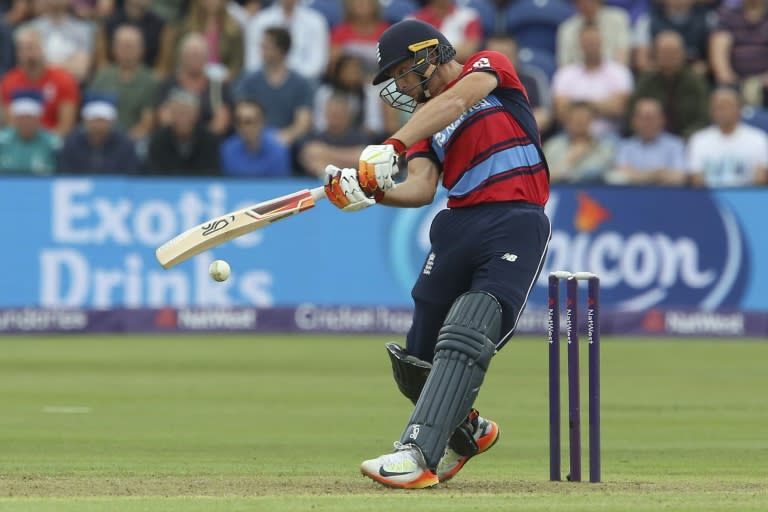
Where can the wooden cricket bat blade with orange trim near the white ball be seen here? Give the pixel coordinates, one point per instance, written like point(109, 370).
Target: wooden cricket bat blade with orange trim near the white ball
point(219, 230)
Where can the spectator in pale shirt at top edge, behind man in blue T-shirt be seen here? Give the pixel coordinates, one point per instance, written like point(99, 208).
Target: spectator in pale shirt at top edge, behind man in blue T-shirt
point(309, 32)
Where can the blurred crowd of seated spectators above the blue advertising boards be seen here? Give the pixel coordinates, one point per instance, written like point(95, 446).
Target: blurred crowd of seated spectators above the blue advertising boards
point(667, 92)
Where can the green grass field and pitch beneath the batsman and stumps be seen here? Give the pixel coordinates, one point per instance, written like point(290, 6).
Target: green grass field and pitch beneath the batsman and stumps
point(281, 423)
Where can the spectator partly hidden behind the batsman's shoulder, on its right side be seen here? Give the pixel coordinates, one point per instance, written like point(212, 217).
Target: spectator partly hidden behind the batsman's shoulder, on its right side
point(534, 80)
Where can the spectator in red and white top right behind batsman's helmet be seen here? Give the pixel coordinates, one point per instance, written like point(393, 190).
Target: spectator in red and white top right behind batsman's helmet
point(461, 25)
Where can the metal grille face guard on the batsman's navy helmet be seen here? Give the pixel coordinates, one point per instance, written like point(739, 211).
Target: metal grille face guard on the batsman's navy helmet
point(427, 57)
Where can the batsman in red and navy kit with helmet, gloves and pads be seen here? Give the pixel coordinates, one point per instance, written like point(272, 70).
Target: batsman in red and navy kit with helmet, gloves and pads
point(472, 130)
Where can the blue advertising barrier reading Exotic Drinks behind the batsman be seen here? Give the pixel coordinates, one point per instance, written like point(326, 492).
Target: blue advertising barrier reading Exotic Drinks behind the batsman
point(79, 256)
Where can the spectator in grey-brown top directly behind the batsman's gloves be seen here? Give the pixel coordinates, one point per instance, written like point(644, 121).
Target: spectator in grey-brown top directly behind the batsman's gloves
point(340, 141)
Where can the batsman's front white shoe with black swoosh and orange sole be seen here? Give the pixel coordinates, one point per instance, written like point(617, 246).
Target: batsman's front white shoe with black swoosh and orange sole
point(405, 468)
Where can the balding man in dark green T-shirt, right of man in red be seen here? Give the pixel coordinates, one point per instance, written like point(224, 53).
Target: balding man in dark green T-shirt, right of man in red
point(131, 82)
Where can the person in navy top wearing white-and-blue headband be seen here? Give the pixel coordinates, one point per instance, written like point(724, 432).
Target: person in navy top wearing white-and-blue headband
point(98, 147)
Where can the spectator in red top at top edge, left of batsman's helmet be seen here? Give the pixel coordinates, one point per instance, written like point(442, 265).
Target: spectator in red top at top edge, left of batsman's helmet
point(358, 34)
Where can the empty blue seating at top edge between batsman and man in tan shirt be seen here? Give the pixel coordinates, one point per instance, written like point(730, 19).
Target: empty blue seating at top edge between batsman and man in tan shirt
point(533, 23)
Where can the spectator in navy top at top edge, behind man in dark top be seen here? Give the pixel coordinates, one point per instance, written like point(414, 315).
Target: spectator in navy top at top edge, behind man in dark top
point(693, 21)
